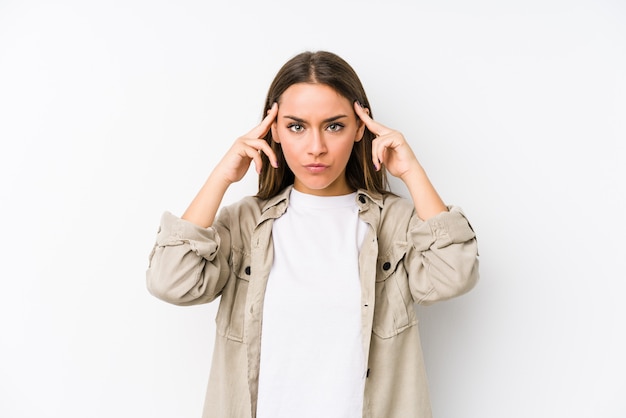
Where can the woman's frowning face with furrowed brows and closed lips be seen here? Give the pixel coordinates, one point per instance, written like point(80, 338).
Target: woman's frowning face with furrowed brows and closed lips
point(317, 128)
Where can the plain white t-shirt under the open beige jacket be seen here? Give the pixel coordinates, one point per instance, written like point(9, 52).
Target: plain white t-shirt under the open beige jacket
point(312, 362)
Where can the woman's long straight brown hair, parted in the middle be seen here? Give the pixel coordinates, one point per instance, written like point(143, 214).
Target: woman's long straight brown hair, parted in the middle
point(326, 68)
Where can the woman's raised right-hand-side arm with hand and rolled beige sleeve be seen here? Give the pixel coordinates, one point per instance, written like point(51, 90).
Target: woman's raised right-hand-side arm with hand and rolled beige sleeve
point(442, 258)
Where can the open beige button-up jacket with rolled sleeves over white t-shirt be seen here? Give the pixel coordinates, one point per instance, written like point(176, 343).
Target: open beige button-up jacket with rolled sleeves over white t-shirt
point(403, 261)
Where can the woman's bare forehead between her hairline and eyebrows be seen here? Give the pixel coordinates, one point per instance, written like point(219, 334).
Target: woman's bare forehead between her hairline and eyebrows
point(309, 97)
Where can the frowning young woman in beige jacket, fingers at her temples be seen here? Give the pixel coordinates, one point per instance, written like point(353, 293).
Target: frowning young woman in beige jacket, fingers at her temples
point(319, 272)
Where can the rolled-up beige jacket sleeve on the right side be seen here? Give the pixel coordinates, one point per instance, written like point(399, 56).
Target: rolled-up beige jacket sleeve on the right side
point(444, 263)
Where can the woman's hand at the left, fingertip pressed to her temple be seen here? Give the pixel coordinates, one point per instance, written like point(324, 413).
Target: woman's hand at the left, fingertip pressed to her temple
point(246, 149)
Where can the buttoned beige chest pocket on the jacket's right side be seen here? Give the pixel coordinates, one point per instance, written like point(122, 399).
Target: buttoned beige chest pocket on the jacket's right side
point(394, 309)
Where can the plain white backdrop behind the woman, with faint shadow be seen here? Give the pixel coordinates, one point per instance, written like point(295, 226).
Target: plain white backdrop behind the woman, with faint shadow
point(112, 112)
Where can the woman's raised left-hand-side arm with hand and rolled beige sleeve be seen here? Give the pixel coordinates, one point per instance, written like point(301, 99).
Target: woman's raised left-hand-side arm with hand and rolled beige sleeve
point(189, 261)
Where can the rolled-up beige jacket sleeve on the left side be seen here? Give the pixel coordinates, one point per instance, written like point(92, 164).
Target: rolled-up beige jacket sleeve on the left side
point(186, 265)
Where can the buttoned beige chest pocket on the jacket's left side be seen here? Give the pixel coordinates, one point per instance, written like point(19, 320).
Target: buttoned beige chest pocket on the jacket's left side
point(230, 315)
